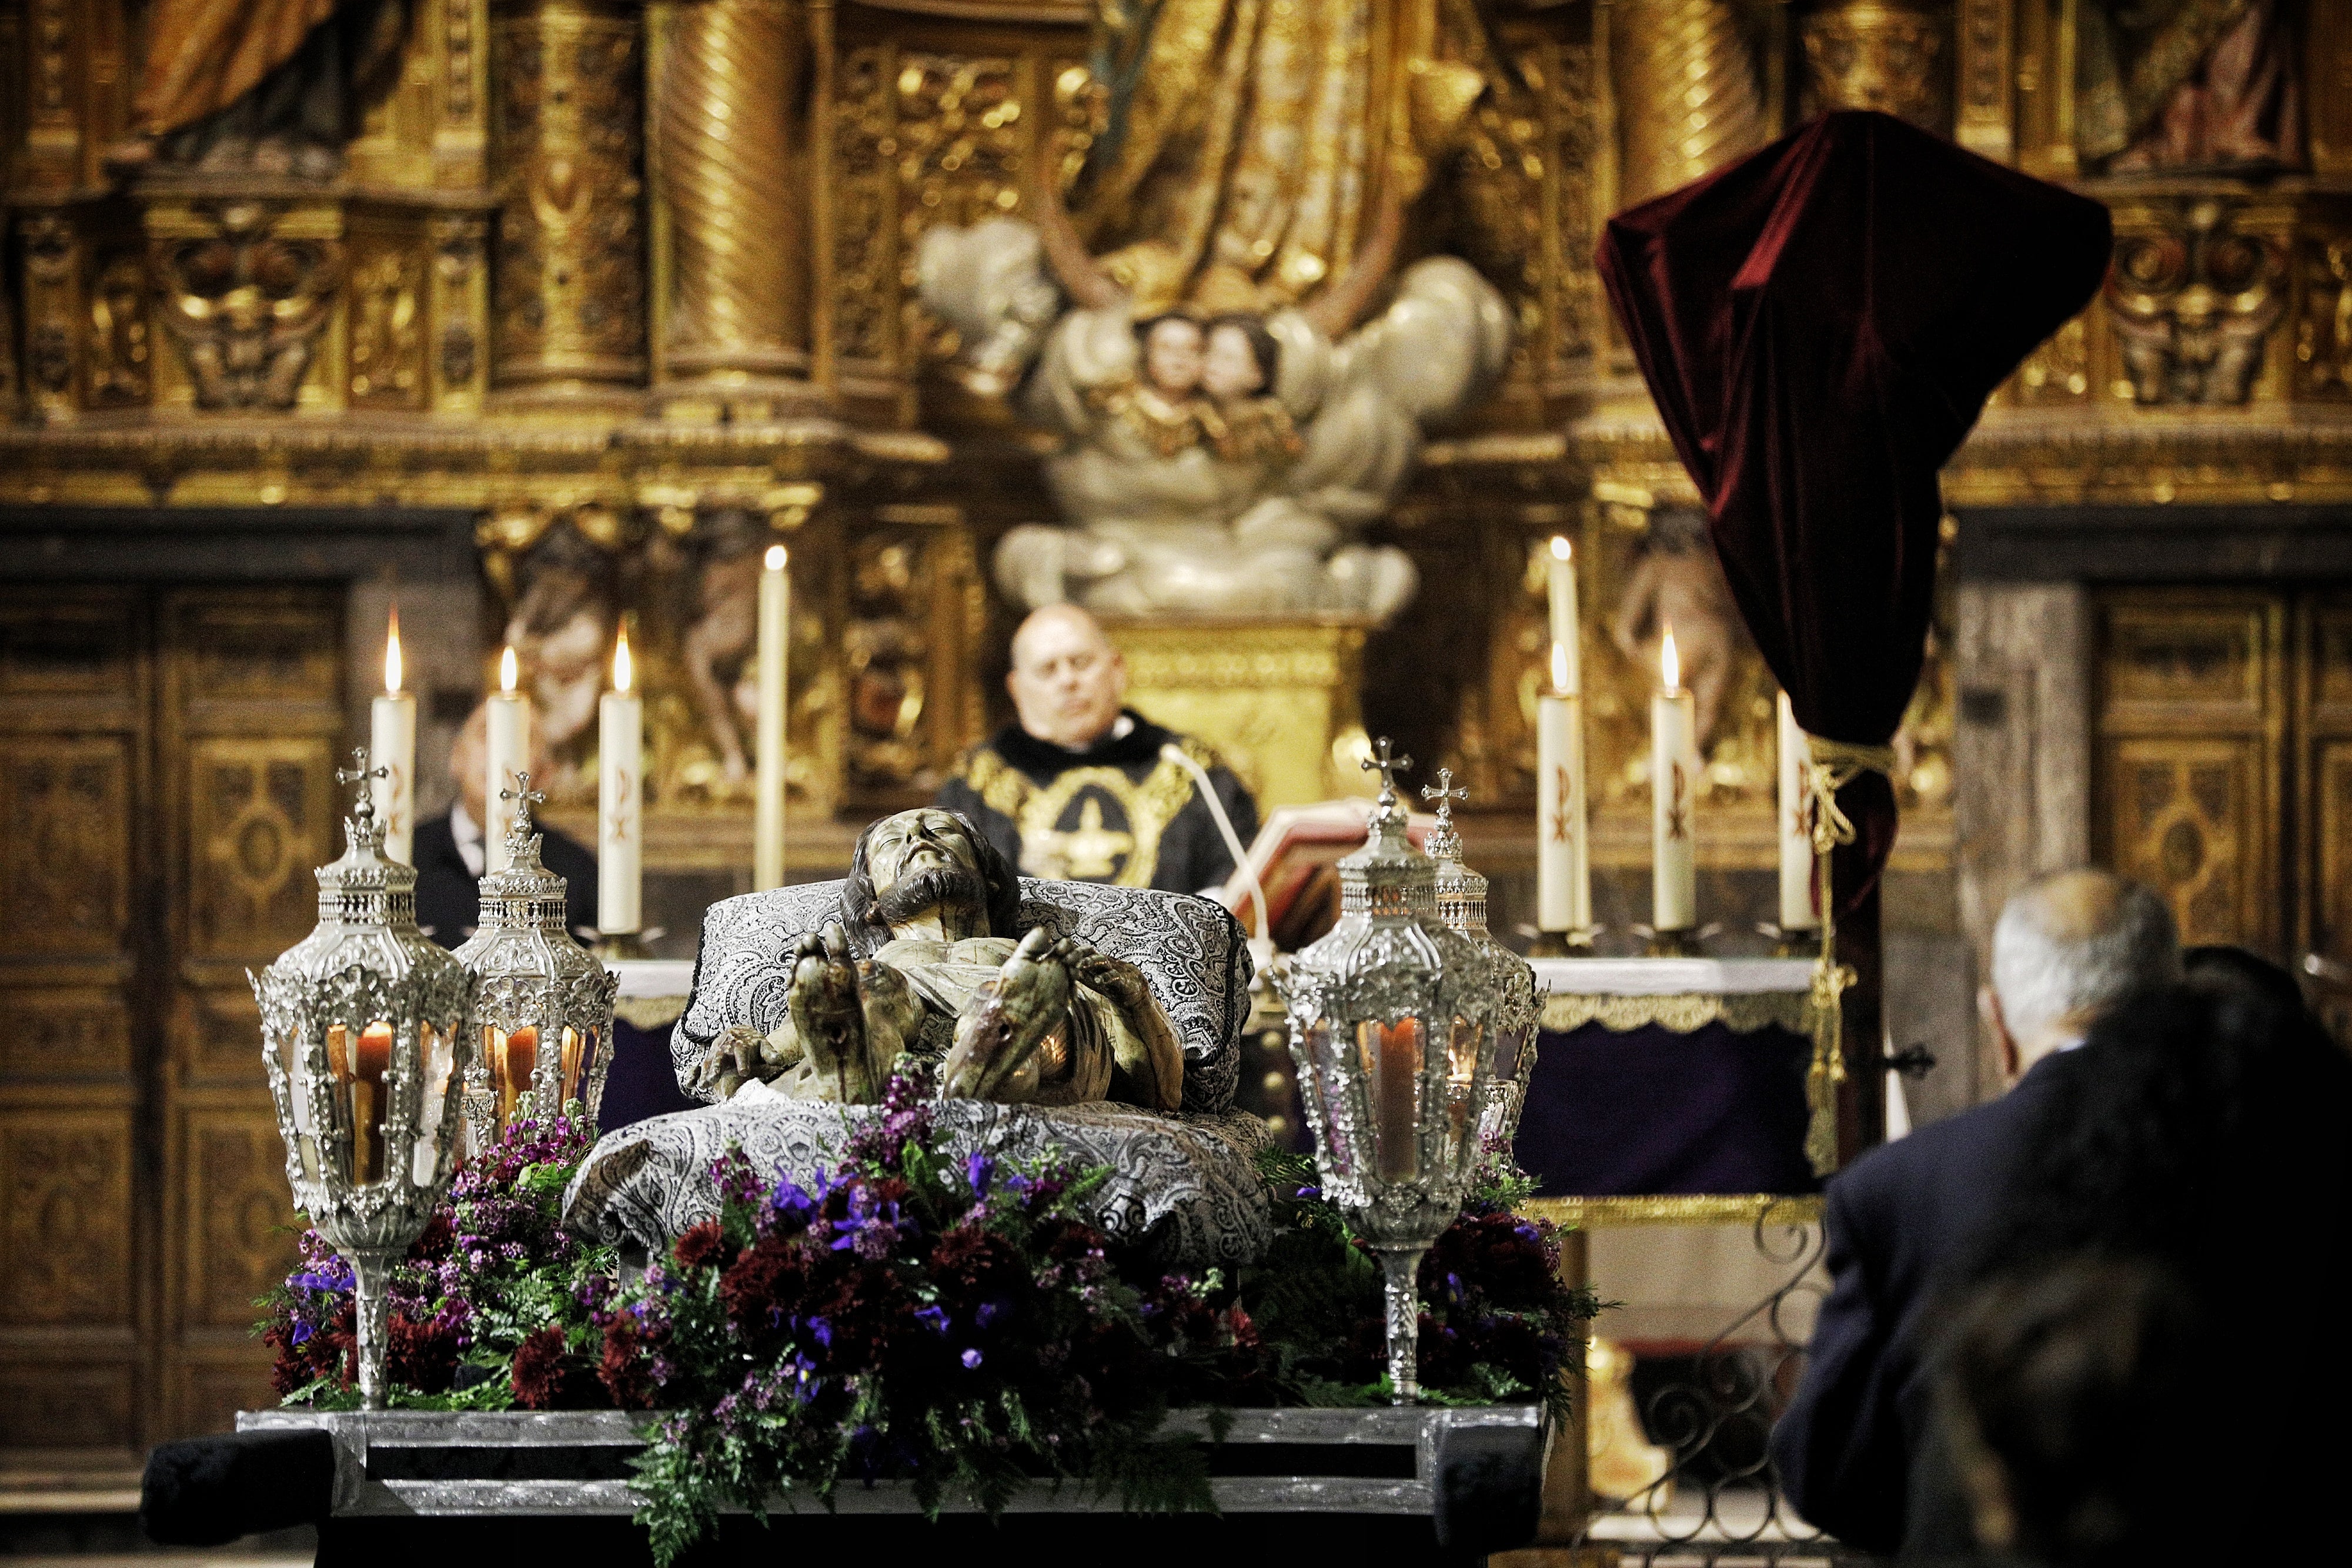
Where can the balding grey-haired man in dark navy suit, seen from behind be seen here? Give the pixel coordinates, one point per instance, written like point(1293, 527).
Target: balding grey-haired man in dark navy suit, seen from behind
point(1852, 1447)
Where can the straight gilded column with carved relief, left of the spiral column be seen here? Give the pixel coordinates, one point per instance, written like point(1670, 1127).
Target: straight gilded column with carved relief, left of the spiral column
point(568, 288)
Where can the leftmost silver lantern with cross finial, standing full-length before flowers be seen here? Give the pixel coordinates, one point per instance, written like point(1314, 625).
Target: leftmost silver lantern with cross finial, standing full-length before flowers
point(366, 1036)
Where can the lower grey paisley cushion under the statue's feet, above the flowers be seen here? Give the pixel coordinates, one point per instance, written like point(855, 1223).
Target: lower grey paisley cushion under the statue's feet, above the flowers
point(1182, 1184)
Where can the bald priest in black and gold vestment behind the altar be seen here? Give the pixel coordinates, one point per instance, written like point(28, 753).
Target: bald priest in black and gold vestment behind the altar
point(1078, 786)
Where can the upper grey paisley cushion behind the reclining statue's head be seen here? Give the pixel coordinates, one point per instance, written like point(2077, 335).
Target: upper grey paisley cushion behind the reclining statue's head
point(1189, 949)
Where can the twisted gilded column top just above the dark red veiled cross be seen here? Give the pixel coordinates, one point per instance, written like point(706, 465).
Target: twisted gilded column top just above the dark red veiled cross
point(1688, 93)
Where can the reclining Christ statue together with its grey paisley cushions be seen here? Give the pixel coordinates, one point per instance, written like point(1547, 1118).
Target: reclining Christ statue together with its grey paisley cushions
point(1067, 1017)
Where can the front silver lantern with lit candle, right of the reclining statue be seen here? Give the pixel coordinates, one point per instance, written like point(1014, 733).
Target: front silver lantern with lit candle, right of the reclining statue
point(1394, 1031)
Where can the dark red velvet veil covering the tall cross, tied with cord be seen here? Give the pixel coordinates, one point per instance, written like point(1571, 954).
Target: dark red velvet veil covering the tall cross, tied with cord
point(1822, 326)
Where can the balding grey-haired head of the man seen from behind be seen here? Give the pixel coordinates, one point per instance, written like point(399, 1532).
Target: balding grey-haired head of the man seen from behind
point(2066, 951)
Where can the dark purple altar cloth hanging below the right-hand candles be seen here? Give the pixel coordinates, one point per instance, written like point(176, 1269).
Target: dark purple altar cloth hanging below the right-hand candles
point(1650, 1113)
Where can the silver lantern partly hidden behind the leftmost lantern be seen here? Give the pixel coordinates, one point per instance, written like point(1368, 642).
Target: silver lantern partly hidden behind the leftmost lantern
point(544, 1005)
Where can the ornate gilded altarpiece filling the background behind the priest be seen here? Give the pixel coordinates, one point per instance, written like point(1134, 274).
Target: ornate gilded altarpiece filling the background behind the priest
point(575, 307)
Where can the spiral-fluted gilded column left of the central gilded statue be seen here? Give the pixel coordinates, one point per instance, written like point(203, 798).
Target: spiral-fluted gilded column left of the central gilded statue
point(730, 255)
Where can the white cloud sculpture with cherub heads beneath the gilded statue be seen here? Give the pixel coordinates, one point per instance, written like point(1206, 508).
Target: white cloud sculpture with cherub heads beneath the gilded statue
point(1215, 462)
